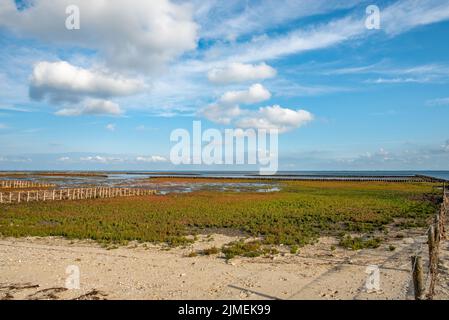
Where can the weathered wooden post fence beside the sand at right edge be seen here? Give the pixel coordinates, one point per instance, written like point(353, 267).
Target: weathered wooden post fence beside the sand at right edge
point(436, 233)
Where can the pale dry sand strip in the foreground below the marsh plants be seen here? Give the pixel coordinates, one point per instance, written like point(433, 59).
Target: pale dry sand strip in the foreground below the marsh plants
point(35, 268)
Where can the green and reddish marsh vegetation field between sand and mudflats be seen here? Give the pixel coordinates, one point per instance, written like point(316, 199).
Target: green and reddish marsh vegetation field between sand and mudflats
point(297, 215)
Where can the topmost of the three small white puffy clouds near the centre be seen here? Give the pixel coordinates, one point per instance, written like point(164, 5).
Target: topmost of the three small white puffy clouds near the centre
point(240, 72)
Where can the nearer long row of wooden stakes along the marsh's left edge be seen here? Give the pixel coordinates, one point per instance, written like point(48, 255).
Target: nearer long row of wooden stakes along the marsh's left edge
point(71, 194)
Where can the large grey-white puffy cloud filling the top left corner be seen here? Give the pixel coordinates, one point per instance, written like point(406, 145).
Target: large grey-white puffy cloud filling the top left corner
point(130, 35)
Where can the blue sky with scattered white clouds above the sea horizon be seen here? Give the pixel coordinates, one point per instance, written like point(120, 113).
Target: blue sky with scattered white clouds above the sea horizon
point(107, 96)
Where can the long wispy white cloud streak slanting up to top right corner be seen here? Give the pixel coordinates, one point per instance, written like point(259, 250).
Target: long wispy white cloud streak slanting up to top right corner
point(397, 18)
